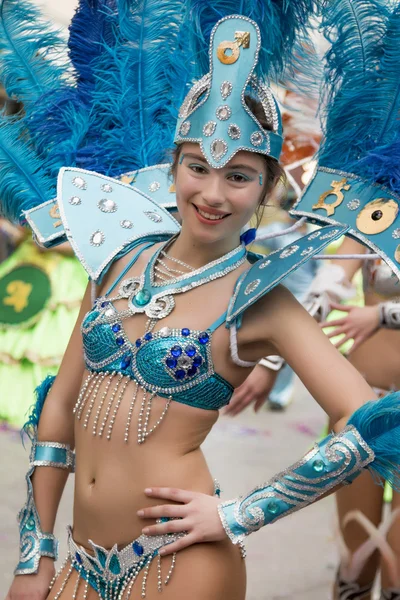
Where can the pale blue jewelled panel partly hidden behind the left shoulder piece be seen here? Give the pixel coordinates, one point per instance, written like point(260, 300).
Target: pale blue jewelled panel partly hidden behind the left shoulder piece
point(152, 182)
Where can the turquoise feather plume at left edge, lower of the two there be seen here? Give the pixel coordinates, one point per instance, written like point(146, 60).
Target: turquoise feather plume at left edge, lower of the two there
point(22, 182)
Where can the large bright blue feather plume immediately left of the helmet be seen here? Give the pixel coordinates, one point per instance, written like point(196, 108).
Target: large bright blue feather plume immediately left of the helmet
point(140, 83)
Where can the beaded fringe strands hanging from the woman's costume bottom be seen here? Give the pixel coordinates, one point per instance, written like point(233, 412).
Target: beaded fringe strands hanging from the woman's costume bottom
point(124, 585)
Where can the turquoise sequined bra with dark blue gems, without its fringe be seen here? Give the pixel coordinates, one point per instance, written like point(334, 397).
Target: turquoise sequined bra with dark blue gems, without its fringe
point(169, 362)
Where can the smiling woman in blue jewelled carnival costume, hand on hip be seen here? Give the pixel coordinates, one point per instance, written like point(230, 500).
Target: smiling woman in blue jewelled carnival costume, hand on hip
point(152, 359)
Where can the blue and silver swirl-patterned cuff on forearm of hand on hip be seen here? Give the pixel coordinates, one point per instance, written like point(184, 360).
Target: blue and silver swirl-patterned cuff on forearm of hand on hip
point(337, 459)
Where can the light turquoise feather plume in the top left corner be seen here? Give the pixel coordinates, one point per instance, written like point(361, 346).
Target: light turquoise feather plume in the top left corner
point(31, 53)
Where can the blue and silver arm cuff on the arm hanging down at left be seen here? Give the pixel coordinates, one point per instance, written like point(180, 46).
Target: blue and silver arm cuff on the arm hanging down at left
point(33, 542)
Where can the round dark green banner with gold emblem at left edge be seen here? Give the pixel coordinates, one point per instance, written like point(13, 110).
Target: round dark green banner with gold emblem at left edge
point(24, 292)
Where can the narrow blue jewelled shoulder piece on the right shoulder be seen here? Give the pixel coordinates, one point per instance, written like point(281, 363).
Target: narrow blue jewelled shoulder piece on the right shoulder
point(266, 273)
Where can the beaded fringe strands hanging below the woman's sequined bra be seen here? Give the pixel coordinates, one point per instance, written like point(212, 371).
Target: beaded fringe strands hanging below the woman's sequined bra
point(90, 393)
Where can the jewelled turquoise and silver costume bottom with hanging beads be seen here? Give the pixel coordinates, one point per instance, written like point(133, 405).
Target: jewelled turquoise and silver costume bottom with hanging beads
point(113, 573)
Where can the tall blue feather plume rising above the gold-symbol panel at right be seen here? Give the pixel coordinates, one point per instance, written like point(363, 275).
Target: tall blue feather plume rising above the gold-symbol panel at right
point(360, 120)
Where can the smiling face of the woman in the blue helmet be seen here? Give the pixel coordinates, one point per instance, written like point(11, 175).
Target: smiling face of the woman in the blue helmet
point(216, 203)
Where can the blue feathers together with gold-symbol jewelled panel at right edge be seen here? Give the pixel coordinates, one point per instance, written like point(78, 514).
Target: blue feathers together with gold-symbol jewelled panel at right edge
point(357, 179)
